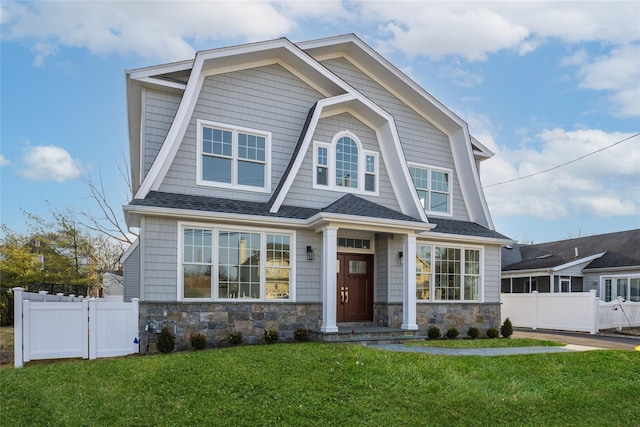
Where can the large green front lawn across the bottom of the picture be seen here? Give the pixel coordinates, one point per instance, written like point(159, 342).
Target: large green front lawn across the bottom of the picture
point(314, 384)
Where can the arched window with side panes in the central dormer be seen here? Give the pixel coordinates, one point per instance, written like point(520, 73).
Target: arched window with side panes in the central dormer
point(344, 165)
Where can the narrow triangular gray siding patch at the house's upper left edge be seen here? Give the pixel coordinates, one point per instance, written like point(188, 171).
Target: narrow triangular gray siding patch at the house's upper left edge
point(159, 110)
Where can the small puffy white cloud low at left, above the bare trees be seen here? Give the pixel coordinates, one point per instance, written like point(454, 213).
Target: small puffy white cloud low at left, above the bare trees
point(49, 163)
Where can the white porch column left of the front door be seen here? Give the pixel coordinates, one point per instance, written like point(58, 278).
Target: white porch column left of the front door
point(328, 275)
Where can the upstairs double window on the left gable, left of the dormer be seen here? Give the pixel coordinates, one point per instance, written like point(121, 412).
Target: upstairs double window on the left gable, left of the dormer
point(233, 157)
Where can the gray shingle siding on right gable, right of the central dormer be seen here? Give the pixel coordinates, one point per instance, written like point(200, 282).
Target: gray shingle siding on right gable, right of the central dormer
point(421, 141)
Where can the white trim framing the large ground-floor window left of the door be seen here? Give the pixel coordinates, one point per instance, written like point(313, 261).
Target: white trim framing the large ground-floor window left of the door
point(215, 228)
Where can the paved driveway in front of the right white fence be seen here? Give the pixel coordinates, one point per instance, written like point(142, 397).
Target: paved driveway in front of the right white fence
point(610, 341)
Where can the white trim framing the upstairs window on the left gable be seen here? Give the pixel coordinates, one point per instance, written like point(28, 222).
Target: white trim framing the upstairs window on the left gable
point(234, 157)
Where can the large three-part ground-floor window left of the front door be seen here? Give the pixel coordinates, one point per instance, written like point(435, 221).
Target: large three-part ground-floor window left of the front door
point(225, 264)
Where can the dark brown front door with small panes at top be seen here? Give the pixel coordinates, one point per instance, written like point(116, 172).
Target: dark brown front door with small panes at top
point(355, 288)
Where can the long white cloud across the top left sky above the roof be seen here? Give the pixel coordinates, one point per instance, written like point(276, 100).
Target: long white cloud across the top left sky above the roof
point(163, 30)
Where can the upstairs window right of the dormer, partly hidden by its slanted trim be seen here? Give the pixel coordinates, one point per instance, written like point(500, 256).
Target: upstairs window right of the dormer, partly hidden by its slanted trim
point(433, 187)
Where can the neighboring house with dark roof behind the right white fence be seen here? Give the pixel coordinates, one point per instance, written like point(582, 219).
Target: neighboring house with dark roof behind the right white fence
point(607, 263)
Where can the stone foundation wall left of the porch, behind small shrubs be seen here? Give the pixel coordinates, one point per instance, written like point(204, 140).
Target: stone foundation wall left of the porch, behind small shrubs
point(217, 320)
